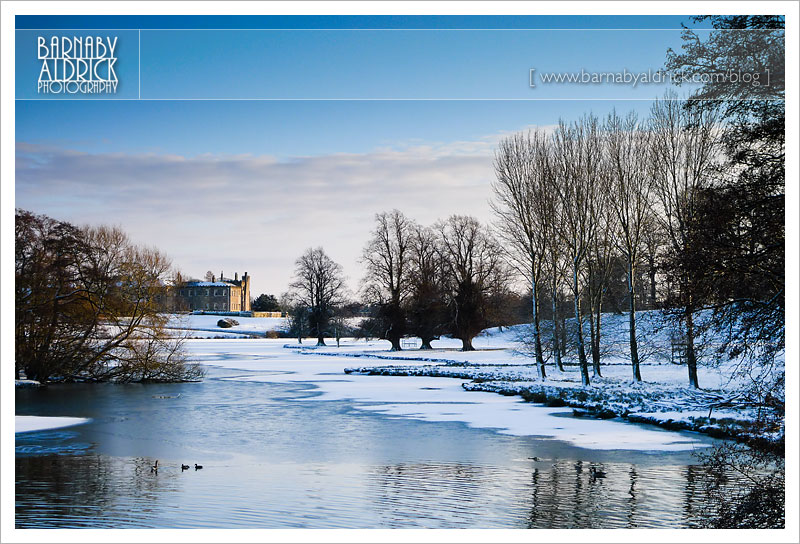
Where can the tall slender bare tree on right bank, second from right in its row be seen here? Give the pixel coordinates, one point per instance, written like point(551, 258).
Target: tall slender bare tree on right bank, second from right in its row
point(630, 177)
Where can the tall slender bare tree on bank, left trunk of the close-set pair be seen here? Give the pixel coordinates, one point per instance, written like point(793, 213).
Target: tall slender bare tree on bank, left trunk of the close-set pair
point(578, 156)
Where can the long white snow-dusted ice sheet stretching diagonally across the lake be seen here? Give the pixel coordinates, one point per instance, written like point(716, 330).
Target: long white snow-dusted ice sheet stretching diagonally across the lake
point(429, 398)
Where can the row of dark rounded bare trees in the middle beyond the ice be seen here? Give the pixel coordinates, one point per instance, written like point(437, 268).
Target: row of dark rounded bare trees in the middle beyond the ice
point(449, 278)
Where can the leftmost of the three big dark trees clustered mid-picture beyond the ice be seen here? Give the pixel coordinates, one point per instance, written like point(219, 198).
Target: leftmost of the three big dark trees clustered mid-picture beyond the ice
point(387, 282)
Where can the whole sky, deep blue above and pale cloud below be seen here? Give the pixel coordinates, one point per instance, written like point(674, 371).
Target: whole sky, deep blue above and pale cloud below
point(234, 148)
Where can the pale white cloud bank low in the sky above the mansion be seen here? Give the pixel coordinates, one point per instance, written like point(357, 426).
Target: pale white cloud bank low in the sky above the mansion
point(255, 213)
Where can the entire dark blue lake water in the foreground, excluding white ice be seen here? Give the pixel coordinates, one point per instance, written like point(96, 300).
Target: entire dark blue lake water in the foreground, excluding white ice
point(272, 458)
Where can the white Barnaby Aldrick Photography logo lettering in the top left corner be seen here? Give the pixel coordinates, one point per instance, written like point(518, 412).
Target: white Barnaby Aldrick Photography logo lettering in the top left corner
point(73, 64)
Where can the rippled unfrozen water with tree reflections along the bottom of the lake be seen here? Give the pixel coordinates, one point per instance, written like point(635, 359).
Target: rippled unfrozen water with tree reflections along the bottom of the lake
point(108, 492)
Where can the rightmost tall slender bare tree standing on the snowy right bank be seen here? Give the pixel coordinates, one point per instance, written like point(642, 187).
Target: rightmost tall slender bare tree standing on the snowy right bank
point(685, 145)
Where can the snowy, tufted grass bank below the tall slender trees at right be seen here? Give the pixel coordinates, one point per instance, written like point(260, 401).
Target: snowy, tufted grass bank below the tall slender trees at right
point(661, 402)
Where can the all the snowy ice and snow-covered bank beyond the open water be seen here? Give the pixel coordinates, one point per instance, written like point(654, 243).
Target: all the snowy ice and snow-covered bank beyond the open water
point(446, 384)
